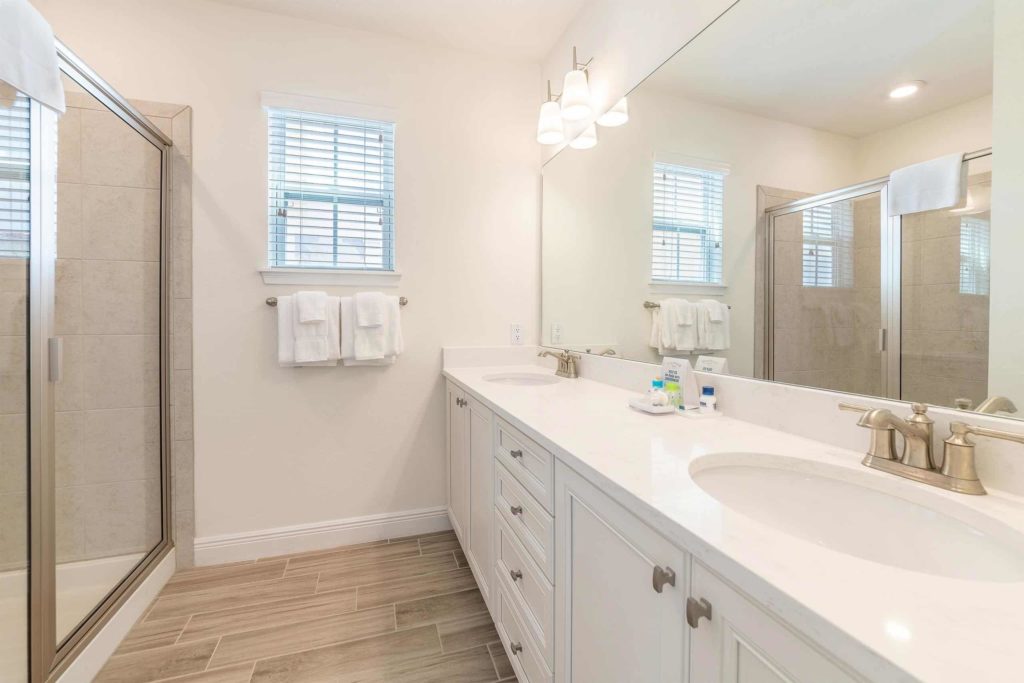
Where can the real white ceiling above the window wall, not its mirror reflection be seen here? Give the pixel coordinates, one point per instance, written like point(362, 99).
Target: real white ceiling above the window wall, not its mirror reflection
point(511, 29)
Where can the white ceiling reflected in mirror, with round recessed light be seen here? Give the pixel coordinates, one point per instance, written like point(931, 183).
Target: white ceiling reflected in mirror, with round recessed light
point(831, 64)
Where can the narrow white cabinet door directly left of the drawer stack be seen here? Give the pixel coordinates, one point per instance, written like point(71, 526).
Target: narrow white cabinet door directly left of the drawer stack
point(482, 494)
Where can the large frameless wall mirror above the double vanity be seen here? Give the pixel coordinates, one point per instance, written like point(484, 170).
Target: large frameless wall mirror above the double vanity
point(749, 216)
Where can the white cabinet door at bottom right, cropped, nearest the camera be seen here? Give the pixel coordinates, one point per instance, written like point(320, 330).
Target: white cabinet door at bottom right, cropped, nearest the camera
point(744, 645)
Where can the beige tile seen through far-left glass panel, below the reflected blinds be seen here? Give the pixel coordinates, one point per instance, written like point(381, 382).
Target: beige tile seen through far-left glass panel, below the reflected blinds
point(14, 442)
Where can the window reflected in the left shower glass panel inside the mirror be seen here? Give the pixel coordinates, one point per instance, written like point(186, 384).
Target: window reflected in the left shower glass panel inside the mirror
point(829, 245)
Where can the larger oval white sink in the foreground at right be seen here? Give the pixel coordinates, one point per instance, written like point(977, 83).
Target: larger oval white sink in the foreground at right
point(892, 523)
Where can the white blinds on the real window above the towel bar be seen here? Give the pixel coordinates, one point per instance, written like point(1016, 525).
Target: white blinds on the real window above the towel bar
point(331, 192)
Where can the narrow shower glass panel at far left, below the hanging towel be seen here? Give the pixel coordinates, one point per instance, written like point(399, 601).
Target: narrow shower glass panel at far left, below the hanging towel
point(16, 229)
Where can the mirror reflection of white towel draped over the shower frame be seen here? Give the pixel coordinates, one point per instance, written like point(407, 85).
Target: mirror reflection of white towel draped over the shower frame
point(940, 184)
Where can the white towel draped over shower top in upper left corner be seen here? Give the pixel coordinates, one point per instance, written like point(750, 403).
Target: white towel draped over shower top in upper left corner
point(28, 57)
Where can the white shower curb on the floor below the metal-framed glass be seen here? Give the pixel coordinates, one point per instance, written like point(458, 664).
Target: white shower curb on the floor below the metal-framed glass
point(92, 660)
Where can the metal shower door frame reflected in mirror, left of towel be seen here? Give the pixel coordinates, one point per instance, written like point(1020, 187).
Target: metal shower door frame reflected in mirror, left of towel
point(890, 241)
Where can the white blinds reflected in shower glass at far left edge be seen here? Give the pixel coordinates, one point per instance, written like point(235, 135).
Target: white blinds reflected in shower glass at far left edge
point(15, 183)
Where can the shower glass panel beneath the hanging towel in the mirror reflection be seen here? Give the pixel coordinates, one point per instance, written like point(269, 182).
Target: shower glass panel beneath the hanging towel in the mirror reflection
point(946, 278)
